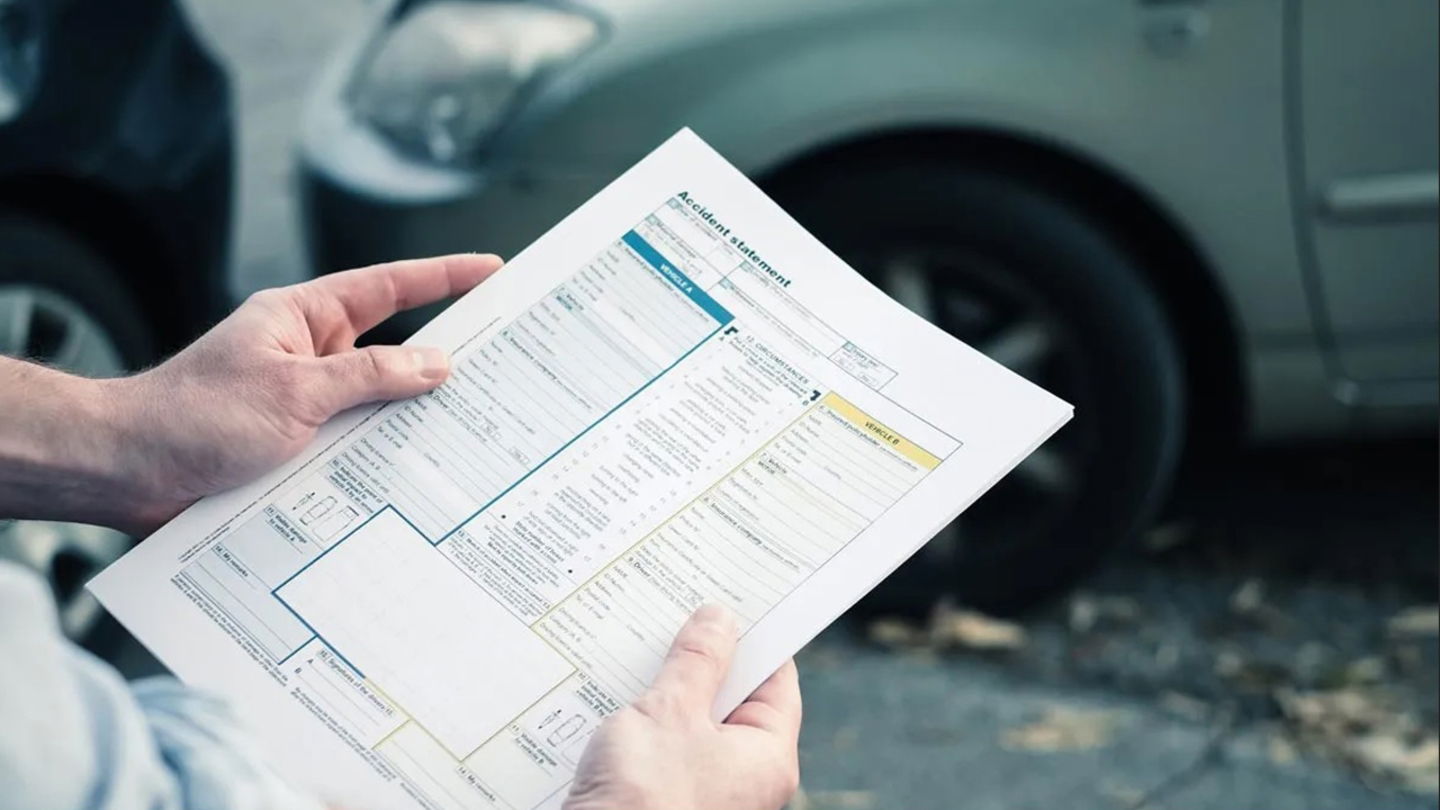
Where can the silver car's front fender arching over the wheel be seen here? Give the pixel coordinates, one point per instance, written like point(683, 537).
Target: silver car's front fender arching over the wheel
point(1199, 132)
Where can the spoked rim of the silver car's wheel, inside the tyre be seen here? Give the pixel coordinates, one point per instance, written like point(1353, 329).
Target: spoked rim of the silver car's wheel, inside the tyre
point(983, 303)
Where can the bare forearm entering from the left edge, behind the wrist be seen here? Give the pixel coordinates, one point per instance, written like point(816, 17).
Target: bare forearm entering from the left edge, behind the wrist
point(68, 449)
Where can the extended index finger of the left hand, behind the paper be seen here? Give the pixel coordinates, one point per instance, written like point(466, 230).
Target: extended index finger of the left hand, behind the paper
point(375, 293)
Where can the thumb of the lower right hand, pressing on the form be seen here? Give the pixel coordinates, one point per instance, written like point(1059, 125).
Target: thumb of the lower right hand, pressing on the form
point(698, 664)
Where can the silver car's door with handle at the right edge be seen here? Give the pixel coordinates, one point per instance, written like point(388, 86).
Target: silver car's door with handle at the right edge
point(1366, 130)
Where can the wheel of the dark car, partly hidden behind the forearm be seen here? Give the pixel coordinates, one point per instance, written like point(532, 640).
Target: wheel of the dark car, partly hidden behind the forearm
point(64, 305)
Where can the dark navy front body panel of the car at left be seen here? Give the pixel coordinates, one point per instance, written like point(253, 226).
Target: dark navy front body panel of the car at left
point(130, 132)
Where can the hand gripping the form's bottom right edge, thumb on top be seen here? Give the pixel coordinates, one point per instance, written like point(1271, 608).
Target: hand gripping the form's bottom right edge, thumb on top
point(665, 753)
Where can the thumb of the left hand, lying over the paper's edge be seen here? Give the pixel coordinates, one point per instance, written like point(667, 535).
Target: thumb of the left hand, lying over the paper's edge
point(381, 373)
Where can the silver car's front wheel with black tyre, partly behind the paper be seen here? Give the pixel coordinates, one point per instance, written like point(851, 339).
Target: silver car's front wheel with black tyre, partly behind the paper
point(1026, 277)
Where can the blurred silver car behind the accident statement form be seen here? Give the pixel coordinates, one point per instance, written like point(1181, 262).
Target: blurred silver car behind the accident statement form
point(1196, 220)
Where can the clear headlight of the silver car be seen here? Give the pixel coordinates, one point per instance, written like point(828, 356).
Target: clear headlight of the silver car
point(440, 81)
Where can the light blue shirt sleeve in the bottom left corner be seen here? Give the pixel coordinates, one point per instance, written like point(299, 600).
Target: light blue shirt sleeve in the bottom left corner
point(74, 736)
